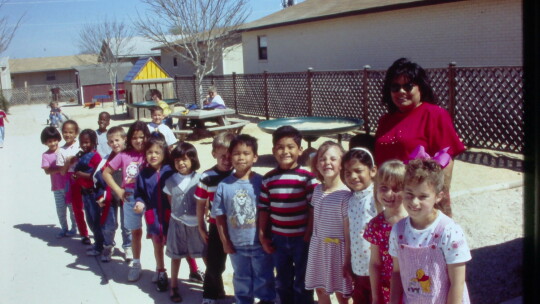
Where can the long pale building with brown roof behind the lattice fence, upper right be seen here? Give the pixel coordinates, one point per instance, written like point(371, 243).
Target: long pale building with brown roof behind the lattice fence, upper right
point(349, 34)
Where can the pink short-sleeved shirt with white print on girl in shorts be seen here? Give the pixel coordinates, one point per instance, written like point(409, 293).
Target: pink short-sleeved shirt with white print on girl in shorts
point(130, 162)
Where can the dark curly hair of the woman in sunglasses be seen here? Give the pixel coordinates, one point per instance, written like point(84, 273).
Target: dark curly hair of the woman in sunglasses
point(415, 74)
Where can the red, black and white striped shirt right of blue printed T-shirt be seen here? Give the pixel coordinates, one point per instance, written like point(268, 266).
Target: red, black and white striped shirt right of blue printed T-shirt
point(286, 195)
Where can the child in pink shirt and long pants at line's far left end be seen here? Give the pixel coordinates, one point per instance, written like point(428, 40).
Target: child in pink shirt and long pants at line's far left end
point(51, 137)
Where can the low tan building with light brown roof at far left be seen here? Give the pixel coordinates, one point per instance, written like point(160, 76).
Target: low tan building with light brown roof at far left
point(47, 70)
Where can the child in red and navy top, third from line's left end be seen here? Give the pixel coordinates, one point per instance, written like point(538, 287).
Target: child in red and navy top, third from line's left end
point(87, 161)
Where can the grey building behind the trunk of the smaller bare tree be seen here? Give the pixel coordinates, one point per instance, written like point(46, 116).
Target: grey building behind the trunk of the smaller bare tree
point(94, 80)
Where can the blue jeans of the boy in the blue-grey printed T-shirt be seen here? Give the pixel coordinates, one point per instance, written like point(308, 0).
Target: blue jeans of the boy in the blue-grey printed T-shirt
point(253, 274)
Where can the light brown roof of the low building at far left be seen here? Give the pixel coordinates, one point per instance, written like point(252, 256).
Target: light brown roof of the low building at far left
point(46, 64)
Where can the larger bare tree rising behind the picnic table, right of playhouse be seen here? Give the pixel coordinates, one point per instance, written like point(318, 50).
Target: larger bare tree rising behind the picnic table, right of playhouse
point(197, 31)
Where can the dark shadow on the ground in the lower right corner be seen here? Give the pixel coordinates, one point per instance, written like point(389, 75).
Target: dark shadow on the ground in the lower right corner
point(495, 272)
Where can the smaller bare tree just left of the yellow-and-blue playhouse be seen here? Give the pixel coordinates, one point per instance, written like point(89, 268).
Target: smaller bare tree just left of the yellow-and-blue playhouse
point(109, 39)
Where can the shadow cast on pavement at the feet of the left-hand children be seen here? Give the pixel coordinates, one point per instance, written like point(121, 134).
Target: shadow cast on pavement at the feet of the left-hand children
point(115, 271)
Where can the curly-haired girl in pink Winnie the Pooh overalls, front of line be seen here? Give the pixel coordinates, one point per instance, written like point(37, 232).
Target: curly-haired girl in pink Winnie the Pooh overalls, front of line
point(428, 248)
